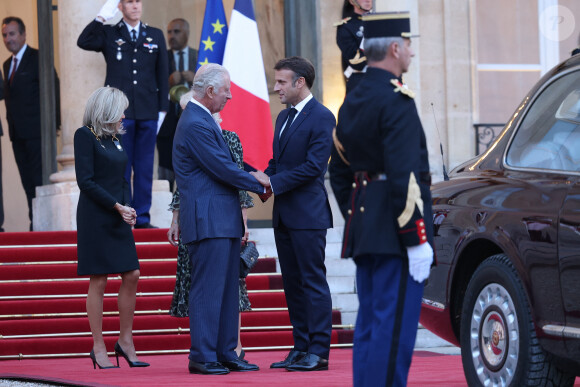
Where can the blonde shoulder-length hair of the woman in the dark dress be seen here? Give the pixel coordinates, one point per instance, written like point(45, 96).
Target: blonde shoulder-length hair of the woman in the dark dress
point(104, 110)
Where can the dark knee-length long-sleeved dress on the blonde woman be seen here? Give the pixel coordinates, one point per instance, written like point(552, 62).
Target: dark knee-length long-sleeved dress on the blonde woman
point(105, 242)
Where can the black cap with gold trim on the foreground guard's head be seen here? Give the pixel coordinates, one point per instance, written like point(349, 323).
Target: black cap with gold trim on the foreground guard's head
point(387, 25)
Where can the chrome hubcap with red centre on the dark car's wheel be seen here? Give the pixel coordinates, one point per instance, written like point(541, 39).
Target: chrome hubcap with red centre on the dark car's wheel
point(494, 337)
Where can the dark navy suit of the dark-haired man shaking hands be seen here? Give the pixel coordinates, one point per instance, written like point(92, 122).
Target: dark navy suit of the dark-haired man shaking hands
point(300, 218)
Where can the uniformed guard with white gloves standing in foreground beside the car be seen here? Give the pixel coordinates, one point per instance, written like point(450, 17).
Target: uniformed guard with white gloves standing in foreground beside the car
point(380, 175)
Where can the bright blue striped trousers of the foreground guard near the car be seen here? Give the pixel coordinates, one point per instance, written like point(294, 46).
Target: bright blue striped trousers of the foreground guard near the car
point(386, 325)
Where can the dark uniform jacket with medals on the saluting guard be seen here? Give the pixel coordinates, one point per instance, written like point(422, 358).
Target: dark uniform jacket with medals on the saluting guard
point(138, 69)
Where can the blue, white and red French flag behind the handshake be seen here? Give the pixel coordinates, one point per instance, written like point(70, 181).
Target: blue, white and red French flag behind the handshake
point(248, 112)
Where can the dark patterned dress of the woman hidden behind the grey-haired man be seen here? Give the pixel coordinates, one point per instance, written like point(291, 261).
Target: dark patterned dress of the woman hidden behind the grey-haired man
point(180, 301)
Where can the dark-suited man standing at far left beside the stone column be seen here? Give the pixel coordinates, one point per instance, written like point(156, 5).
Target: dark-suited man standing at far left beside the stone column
point(22, 97)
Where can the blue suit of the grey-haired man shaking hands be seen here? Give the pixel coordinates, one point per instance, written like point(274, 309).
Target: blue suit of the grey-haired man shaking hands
point(210, 221)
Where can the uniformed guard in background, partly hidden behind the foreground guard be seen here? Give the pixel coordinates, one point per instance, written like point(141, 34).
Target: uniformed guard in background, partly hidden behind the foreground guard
point(349, 35)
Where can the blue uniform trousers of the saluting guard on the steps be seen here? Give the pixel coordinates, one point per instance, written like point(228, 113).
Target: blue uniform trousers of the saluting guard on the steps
point(139, 143)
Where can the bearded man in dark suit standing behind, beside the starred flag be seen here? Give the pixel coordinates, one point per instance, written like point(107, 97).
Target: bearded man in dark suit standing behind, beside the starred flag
point(182, 65)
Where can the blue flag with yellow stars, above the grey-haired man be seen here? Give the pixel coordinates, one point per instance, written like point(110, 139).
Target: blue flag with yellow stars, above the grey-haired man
point(213, 34)
